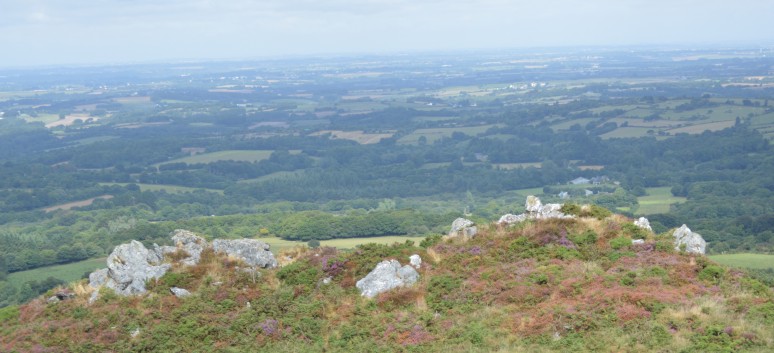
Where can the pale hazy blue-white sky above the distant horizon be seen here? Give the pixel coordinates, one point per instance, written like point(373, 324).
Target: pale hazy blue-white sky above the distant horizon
point(34, 32)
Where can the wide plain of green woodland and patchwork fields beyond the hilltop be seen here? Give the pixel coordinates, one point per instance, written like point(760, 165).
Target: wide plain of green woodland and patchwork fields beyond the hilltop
point(441, 154)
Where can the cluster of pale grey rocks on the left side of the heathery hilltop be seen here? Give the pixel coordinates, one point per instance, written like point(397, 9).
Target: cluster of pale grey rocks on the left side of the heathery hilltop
point(131, 265)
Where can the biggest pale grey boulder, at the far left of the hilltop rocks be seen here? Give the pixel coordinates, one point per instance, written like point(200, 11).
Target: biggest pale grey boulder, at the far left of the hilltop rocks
point(129, 267)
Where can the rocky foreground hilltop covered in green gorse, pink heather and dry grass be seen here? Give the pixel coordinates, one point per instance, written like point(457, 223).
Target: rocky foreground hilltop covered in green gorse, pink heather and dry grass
point(579, 279)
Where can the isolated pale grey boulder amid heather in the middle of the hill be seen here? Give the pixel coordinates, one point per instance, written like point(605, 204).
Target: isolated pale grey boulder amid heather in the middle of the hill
point(386, 276)
